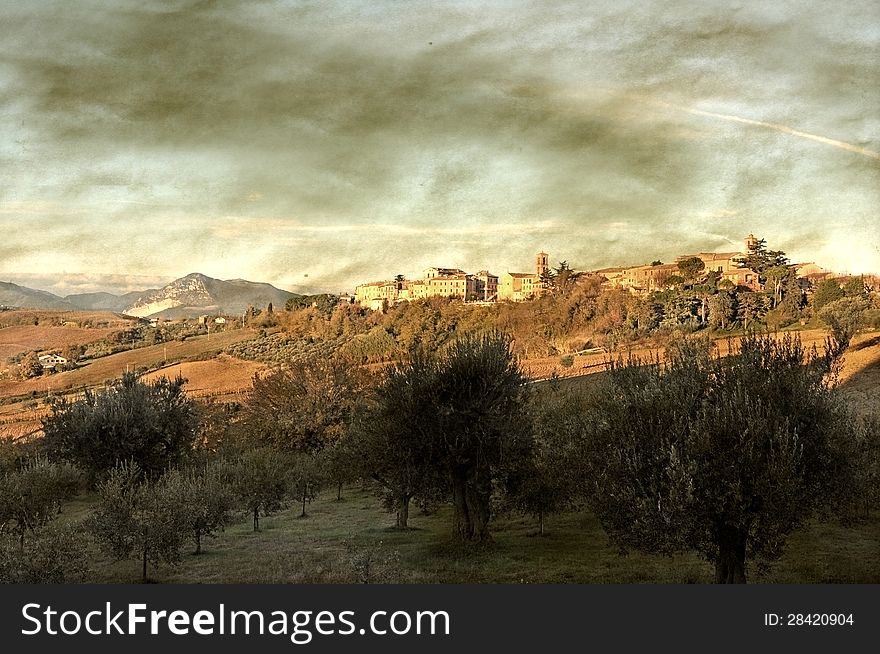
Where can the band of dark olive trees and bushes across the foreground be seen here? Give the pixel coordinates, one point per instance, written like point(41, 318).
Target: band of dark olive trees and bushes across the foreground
point(721, 456)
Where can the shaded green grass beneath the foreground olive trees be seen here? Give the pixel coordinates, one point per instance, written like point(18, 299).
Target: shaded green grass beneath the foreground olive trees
point(351, 542)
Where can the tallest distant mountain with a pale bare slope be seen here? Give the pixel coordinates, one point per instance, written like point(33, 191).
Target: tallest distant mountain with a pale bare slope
point(198, 294)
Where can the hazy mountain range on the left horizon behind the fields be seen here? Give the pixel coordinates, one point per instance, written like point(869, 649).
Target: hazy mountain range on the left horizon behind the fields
point(189, 296)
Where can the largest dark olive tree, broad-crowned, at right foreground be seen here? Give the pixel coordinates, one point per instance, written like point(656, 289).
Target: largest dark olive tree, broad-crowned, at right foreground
point(725, 456)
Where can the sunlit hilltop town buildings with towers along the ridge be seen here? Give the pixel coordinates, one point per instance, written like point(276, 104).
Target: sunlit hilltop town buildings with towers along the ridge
point(486, 287)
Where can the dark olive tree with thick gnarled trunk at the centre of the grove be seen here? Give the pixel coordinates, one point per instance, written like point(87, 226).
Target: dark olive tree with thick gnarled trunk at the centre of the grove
point(462, 413)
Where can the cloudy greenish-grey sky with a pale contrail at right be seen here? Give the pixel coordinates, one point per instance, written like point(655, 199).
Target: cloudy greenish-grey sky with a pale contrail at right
point(316, 145)
